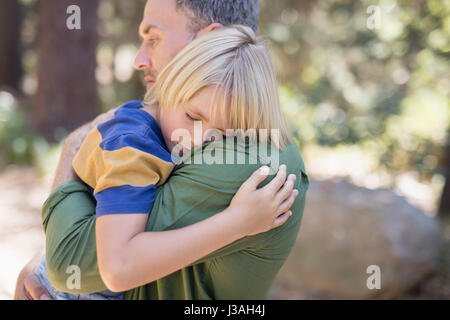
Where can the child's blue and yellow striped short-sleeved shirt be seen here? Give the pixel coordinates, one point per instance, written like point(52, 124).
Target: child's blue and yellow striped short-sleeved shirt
point(123, 160)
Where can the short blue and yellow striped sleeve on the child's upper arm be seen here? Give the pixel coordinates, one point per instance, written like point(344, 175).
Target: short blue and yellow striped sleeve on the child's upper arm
point(123, 171)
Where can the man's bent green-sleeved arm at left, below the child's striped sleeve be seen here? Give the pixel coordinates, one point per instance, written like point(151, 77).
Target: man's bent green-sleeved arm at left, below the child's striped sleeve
point(68, 217)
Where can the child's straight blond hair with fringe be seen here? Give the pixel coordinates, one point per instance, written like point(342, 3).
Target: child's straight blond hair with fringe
point(239, 66)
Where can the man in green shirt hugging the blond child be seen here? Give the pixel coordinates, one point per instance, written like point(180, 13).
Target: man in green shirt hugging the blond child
point(244, 269)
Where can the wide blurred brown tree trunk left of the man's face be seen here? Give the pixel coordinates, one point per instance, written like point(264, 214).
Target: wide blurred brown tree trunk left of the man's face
point(67, 88)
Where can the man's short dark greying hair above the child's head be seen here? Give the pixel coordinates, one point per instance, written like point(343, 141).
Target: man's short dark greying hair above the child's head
point(202, 13)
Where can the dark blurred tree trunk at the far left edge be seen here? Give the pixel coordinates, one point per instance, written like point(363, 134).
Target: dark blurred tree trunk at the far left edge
point(10, 62)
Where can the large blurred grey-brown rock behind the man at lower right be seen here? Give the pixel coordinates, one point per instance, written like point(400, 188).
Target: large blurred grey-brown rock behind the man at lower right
point(346, 229)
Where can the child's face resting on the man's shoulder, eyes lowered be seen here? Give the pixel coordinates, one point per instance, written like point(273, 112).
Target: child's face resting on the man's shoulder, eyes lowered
point(185, 115)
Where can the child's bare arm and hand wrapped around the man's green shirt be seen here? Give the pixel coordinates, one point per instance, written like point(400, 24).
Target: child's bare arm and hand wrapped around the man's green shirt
point(129, 257)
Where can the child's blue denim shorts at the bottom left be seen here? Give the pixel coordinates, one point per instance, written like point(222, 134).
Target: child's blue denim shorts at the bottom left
point(41, 273)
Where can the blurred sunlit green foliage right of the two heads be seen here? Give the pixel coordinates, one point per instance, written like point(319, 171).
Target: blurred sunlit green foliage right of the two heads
point(344, 81)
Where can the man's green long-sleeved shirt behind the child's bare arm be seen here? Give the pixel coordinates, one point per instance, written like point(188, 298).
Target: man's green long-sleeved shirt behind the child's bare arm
point(244, 269)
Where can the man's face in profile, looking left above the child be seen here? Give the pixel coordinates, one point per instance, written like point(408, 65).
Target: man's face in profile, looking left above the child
point(164, 33)
